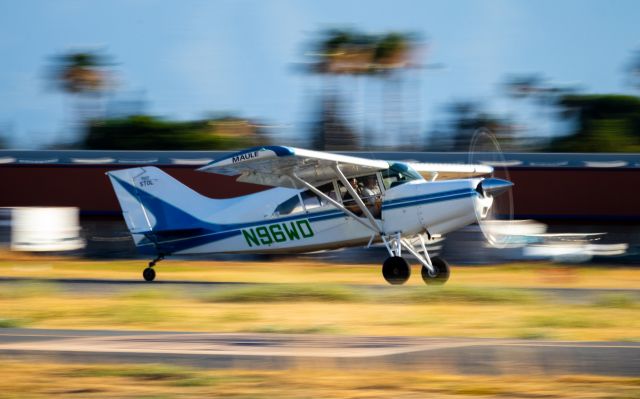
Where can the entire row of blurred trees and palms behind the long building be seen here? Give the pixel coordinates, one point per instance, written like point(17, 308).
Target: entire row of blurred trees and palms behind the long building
point(345, 61)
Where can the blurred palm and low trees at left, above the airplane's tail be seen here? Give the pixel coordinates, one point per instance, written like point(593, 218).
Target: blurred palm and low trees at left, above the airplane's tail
point(85, 77)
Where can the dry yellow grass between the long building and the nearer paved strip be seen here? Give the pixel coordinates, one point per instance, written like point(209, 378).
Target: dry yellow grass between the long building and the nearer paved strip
point(322, 298)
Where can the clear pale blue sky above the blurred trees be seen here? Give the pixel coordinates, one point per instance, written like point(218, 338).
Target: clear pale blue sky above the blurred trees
point(191, 58)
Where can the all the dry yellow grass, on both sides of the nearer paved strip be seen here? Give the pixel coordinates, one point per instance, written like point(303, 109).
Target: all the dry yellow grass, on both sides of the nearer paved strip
point(312, 298)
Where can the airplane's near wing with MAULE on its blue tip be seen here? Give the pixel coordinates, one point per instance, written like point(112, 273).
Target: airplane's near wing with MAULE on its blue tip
point(276, 166)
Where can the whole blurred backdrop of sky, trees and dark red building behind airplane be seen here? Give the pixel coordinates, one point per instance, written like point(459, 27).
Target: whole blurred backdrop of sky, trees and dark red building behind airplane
point(82, 84)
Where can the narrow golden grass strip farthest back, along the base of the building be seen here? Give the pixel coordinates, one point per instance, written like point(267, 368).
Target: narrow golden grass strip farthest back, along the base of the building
point(301, 271)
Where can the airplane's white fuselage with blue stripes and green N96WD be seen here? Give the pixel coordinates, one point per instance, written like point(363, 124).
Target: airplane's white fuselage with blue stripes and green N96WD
point(255, 223)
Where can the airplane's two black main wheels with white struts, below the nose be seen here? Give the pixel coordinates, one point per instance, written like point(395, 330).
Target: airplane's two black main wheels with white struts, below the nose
point(396, 270)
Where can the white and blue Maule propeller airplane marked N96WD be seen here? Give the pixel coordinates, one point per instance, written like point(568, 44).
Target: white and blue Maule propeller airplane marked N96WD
point(318, 201)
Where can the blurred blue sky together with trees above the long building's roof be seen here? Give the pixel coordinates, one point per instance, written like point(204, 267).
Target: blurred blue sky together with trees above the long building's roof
point(373, 75)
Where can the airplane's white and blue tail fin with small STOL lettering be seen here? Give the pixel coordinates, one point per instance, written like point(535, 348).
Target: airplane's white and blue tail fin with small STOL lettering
point(153, 201)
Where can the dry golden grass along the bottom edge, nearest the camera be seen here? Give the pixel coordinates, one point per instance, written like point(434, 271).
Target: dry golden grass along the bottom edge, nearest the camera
point(47, 380)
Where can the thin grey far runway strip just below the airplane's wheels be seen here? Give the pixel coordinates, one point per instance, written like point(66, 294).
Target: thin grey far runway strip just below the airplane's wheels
point(97, 286)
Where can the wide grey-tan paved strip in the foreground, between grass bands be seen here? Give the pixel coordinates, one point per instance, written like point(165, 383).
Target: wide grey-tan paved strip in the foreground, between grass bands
point(282, 351)
